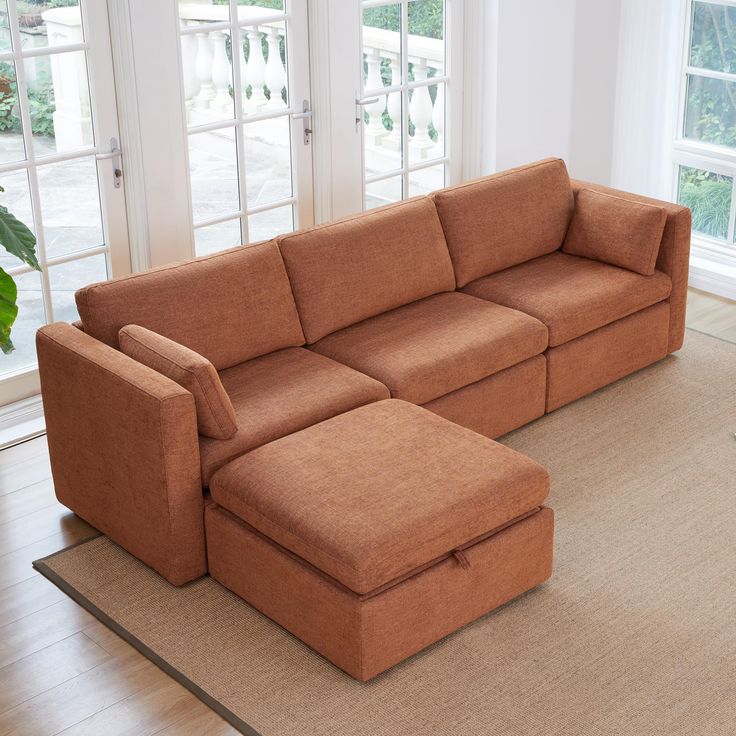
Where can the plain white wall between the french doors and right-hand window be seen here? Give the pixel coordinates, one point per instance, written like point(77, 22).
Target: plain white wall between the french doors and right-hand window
point(557, 70)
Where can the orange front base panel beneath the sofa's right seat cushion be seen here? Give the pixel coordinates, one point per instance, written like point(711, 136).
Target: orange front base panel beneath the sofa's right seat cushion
point(601, 357)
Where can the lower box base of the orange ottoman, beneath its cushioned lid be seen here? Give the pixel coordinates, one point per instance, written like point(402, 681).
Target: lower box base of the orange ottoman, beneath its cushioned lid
point(366, 634)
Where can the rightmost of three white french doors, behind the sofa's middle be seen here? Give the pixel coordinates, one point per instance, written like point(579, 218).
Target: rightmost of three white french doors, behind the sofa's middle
point(410, 68)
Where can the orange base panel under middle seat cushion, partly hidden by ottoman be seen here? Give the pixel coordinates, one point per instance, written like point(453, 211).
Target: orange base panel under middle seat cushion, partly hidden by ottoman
point(500, 403)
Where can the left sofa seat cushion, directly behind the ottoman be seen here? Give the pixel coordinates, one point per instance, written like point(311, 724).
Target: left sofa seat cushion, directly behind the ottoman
point(280, 393)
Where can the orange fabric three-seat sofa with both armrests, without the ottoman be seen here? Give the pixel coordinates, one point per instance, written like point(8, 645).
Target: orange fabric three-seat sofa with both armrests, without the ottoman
point(488, 304)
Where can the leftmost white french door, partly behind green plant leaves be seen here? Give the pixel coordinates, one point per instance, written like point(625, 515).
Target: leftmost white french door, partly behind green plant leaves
point(58, 135)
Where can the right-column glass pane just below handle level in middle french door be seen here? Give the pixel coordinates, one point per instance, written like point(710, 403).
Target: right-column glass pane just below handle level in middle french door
point(268, 161)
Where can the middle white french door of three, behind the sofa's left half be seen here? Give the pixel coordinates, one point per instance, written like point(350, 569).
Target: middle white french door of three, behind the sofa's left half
point(245, 83)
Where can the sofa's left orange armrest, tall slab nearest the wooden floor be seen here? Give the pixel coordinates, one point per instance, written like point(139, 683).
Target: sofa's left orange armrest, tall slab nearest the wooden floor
point(124, 450)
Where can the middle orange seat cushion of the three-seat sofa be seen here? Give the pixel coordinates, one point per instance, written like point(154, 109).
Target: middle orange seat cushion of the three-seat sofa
point(426, 349)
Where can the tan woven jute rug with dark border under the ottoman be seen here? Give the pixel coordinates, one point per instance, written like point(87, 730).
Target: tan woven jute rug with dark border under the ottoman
point(635, 634)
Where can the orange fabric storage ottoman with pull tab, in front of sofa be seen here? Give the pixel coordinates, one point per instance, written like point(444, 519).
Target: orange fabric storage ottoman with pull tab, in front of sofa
point(375, 533)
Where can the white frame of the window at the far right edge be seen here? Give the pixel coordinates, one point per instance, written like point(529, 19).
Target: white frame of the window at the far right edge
point(713, 262)
